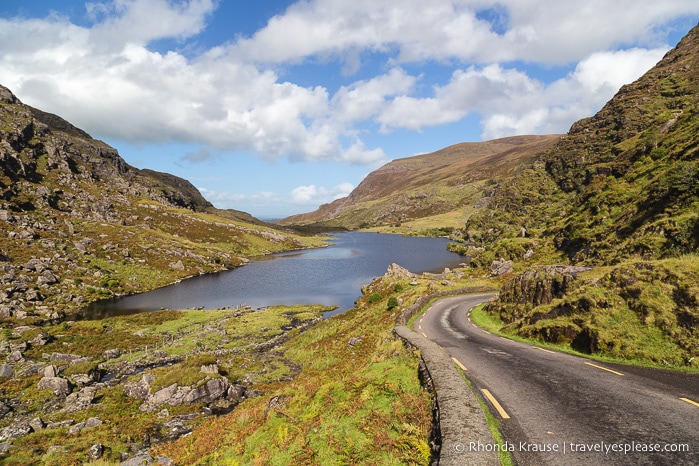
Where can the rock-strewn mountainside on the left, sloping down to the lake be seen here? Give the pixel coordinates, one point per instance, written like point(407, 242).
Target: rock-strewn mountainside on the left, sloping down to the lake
point(80, 224)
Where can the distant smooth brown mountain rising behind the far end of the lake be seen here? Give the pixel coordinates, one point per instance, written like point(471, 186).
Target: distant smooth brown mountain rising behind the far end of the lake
point(427, 184)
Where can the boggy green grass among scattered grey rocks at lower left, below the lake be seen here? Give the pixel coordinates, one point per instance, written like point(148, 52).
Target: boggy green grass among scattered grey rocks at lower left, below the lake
point(229, 338)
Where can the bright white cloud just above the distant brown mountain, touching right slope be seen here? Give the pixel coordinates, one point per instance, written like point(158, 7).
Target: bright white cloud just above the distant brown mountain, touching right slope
point(510, 102)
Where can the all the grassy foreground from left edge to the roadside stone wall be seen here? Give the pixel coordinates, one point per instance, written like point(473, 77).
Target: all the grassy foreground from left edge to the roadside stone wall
point(343, 391)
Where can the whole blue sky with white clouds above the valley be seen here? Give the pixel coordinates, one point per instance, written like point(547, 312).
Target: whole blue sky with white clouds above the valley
point(274, 107)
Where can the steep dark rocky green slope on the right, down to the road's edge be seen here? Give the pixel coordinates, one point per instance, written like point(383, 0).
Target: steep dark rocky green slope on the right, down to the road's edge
point(626, 185)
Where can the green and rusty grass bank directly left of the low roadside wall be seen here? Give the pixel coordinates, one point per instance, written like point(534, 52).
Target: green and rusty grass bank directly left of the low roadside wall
point(350, 404)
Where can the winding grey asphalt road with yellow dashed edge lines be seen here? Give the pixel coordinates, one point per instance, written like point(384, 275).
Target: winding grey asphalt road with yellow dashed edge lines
point(560, 409)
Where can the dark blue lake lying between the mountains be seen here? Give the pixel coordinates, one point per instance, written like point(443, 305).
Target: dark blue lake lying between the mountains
point(328, 276)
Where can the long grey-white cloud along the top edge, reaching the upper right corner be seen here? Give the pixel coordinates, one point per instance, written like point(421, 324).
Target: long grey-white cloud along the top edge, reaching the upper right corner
point(540, 30)
